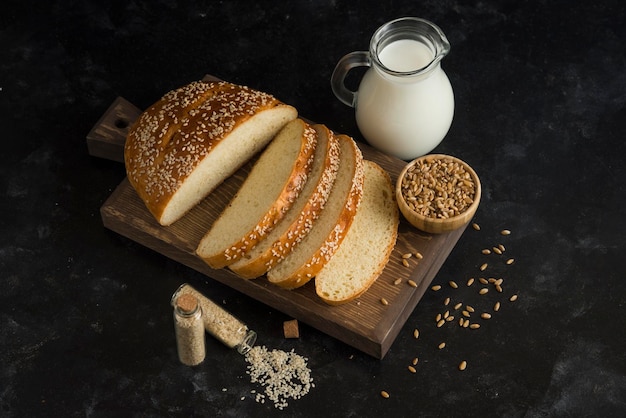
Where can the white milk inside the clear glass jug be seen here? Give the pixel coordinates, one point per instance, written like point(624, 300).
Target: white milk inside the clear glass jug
point(405, 116)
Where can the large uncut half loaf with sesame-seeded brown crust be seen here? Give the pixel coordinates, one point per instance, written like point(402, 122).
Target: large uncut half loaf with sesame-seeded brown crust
point(193, 138)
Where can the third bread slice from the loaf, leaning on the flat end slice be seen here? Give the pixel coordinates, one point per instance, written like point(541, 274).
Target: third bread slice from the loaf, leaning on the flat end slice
point(319, 245)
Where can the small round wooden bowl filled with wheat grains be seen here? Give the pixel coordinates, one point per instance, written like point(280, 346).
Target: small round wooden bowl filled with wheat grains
point(436, 220)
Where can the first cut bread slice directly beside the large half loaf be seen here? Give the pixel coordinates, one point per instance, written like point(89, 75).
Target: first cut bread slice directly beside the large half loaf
point(269, 191)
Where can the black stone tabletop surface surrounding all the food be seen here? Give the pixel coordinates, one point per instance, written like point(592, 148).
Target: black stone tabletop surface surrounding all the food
point(540, 87)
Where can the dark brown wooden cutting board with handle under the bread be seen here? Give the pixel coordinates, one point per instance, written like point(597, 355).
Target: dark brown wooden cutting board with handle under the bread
point(365, 324)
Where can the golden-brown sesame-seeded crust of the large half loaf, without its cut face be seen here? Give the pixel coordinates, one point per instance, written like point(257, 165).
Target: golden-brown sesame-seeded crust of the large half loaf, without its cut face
point(172, 137)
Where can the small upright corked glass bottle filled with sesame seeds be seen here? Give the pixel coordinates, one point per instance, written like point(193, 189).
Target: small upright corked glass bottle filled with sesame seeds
point(189, 327)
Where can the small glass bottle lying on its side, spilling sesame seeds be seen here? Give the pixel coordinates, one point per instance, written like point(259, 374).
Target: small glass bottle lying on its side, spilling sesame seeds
point(219, 323)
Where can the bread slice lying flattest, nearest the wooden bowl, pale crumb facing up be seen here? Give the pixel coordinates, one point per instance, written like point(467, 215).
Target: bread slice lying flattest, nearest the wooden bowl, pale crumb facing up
point(365, 251)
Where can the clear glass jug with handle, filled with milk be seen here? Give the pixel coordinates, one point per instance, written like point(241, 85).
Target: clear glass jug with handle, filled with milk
point(404, 104)
